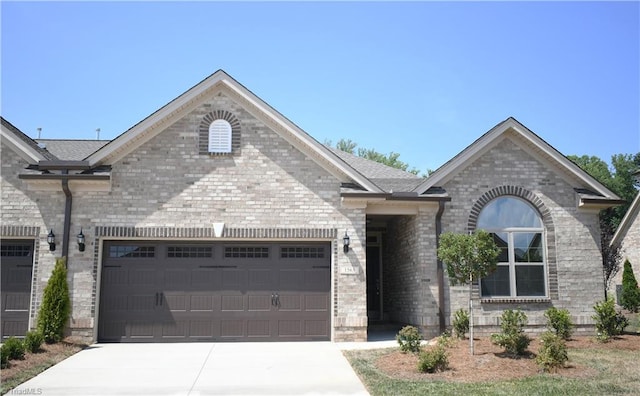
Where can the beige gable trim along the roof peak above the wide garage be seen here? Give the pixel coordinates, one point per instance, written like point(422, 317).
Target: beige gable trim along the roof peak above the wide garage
point(222, 82)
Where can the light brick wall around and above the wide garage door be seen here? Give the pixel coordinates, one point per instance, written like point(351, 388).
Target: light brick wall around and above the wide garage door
point(166, 182)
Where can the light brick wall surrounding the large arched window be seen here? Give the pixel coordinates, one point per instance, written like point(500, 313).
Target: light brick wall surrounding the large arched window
point(576, 236)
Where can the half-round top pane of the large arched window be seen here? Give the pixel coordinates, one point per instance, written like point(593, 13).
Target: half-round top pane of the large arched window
point(505, 212)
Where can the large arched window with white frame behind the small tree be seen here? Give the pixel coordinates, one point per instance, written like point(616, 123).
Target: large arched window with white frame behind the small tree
point(518, 231)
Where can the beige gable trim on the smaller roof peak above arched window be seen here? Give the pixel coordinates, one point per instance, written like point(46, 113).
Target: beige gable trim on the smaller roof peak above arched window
point(536, 146)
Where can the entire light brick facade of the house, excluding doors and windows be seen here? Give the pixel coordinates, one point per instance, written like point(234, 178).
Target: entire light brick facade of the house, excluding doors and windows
point(168, 187)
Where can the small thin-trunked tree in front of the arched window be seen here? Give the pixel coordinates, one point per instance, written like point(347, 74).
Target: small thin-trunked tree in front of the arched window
point(468, 258)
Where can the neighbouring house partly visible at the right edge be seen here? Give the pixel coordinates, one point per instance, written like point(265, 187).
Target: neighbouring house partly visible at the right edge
point(627, 239)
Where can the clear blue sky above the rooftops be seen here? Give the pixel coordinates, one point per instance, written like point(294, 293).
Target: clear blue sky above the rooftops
point(423, 79)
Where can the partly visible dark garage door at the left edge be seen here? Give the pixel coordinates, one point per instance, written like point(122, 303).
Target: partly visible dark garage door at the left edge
point(16, 261)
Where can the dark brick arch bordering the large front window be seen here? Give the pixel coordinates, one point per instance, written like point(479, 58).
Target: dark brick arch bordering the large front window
point(547, 222)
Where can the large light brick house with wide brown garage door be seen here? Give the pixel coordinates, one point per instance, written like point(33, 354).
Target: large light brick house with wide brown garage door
point(216, 218)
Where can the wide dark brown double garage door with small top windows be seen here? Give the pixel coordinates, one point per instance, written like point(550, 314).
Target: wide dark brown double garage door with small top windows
point(177, 292)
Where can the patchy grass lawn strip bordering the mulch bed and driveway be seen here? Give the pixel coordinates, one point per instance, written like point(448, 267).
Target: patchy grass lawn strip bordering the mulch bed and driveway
point(616, 373)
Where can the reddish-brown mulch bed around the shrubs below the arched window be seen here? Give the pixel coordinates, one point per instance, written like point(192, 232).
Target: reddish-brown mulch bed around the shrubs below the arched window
point(489, 362)
